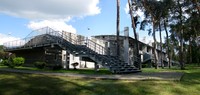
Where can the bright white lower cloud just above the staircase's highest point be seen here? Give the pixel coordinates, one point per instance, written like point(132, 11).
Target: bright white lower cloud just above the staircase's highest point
point(57, 25)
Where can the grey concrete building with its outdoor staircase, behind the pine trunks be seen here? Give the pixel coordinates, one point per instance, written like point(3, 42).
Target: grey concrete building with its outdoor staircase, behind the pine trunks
point(62, 49)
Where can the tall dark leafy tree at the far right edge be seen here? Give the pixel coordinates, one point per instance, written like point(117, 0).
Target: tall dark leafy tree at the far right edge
point(192, 24)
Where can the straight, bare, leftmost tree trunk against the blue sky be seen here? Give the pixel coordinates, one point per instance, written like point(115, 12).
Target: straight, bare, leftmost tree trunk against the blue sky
point(118, 27)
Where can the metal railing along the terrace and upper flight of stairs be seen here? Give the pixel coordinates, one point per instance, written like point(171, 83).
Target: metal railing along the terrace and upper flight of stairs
point(70, 37)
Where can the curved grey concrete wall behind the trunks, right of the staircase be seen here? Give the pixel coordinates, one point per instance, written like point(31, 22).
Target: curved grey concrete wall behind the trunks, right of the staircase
point(146, 50)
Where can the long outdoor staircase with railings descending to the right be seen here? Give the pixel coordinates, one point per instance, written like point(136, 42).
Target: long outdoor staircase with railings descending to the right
point(80, 46)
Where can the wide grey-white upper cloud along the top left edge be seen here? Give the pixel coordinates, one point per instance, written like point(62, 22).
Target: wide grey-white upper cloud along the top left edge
point(49, 9)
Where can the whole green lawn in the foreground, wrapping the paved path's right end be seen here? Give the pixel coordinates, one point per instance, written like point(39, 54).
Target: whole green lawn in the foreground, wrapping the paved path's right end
point(33, 84)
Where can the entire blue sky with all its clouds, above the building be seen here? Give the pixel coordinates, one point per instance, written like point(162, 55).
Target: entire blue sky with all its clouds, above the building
point(85, 17)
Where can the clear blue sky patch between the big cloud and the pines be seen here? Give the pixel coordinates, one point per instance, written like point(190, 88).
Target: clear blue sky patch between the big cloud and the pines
point(105, 22)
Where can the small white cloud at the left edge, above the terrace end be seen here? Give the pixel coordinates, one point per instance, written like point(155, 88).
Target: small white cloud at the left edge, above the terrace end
point(7, 38)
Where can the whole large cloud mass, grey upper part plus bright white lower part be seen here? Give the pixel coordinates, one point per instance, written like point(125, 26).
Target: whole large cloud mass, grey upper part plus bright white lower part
point(52, 13)
